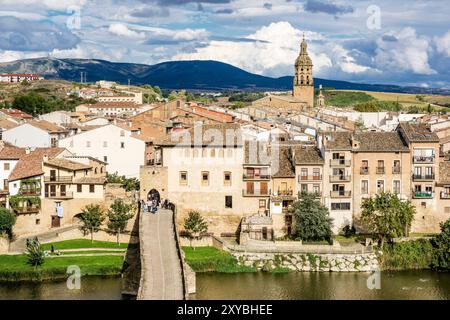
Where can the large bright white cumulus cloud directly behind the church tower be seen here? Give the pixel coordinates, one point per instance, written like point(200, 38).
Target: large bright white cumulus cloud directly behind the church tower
point(273, 53)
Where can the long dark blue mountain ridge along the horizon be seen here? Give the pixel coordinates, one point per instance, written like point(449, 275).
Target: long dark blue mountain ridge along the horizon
point(208, 75)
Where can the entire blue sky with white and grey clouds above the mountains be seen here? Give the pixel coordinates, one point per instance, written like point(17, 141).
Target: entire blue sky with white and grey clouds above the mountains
point(375, 41)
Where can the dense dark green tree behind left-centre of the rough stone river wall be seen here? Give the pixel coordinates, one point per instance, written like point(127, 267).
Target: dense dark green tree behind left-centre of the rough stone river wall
point(312, 220)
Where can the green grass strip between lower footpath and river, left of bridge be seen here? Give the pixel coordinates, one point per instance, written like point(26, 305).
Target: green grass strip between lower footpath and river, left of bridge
point(15, 267)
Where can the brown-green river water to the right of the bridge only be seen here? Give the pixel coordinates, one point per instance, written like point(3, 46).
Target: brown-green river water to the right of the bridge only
point(323, 286)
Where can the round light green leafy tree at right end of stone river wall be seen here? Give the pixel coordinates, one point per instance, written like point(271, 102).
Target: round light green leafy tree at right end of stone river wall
point(387, 216)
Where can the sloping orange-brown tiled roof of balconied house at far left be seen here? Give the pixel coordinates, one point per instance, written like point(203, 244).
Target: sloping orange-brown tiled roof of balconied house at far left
point(30, 165)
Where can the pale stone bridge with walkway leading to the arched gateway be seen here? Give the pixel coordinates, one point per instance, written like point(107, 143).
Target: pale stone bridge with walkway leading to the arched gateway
point(163, 271)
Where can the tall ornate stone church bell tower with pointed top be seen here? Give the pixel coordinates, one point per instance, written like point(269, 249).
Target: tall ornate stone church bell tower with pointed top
point(303, 81)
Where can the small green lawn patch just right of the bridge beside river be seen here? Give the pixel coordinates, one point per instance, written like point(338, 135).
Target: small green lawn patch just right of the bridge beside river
point(210, 259)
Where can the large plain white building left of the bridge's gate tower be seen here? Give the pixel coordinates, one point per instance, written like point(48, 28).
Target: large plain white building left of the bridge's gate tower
point(115, 145)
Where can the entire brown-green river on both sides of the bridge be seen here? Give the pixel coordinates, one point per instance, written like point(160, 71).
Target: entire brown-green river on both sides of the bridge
point(291, 286)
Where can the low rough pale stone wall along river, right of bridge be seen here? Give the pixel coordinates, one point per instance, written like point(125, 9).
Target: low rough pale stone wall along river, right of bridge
point(364, 262)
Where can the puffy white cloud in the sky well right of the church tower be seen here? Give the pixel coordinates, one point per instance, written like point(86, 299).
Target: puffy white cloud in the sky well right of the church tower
point(404, 51)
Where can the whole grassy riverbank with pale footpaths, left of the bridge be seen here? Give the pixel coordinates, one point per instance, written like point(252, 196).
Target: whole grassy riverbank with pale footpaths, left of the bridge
point(94, 259)
